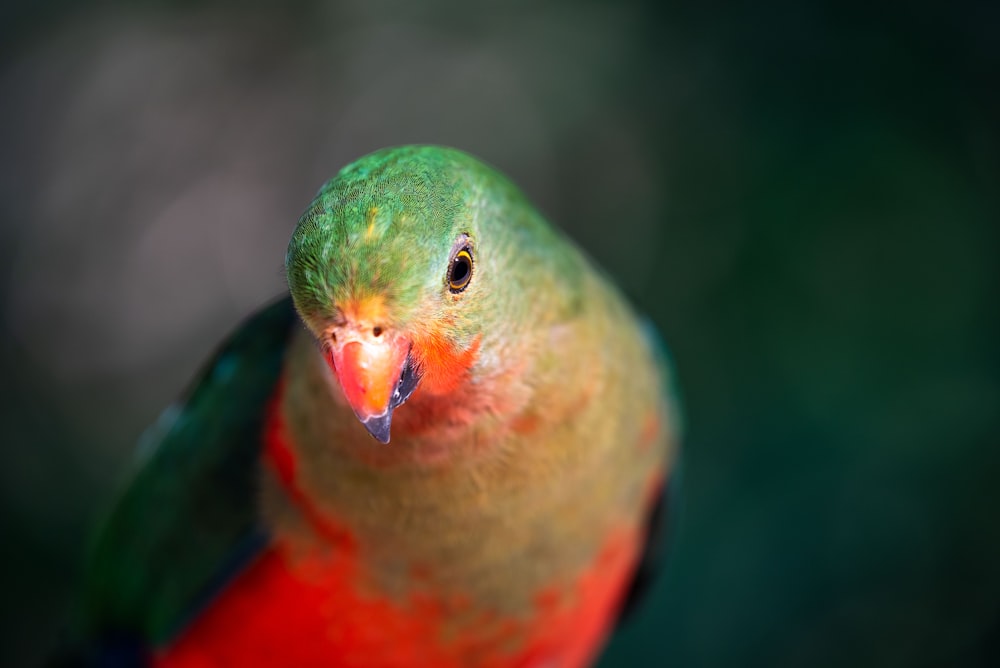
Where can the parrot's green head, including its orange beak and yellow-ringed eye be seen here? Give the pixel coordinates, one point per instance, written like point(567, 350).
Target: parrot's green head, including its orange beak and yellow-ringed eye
point(390, 272)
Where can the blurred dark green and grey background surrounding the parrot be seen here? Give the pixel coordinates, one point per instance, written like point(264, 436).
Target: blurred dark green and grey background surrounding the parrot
point(804, 198)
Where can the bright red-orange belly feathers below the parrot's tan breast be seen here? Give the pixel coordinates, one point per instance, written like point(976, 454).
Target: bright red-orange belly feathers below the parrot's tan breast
point(291, 609)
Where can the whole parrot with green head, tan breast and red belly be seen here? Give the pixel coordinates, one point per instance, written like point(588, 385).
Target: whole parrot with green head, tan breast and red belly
point(453, 442)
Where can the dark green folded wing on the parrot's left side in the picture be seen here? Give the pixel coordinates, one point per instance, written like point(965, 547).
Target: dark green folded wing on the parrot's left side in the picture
point(188, 519)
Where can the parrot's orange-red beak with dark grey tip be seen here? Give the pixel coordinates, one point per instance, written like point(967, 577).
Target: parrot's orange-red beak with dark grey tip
point(376, 373)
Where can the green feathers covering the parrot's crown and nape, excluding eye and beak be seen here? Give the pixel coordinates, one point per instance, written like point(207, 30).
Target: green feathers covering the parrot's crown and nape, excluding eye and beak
point(387, 225)
